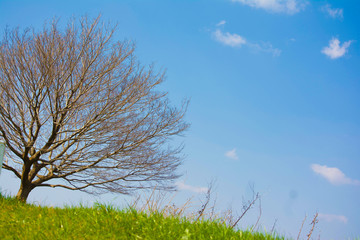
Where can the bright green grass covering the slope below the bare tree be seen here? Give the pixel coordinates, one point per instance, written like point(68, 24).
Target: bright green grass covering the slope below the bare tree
point(25, 221)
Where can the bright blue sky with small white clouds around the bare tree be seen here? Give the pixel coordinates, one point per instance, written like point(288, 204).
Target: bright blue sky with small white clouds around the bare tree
point(275, 100)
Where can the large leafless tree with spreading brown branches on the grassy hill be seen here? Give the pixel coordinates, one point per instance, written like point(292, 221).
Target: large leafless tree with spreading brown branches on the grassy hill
point(76, 106)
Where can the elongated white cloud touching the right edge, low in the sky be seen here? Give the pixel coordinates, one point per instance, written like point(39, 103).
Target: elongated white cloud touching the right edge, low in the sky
point(333, 175)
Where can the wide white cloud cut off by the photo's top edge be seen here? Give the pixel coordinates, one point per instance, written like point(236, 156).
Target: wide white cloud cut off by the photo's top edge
point(286, 6)
